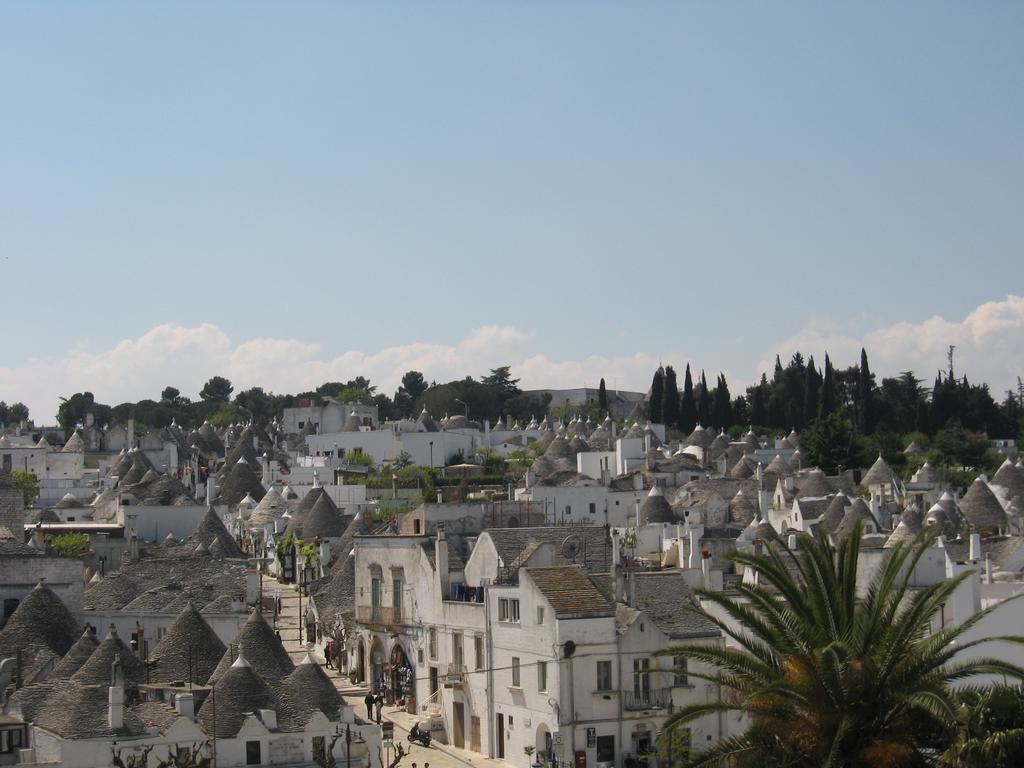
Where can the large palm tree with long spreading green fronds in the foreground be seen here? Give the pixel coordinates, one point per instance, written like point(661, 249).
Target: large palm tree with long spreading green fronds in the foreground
point(829, 676)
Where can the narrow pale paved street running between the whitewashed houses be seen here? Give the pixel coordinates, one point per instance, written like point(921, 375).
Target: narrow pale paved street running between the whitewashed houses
point(437, 756)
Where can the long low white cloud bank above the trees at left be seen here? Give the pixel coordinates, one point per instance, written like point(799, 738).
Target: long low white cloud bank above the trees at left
point(186, 358)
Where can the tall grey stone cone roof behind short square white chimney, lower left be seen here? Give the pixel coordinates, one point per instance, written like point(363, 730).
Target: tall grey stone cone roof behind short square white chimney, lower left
point(190, 647)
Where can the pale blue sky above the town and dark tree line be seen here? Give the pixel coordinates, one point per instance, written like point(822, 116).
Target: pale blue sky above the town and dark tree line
point(626, 183)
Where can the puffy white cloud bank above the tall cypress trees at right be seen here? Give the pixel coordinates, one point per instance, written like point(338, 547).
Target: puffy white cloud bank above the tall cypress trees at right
point(990, 346)
